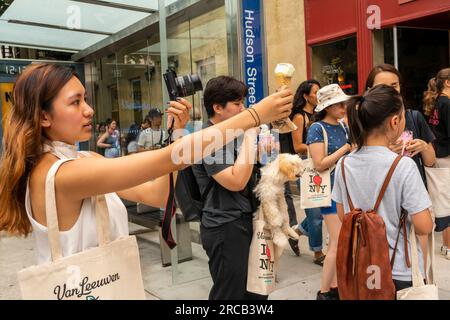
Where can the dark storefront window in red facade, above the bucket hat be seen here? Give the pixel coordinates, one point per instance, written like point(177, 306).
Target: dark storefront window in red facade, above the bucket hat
point(336, 62)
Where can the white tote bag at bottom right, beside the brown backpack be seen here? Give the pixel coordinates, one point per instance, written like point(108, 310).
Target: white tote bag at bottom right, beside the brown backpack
point(420, 290)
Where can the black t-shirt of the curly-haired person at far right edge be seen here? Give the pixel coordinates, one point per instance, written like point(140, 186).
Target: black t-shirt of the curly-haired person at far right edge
point(440, 122)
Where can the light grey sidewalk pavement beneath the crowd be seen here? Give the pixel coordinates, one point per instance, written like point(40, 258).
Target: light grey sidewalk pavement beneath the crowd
point(298, 279)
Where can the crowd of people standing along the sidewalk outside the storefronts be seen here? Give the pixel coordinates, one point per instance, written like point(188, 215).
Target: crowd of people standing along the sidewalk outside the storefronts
point(367, 130)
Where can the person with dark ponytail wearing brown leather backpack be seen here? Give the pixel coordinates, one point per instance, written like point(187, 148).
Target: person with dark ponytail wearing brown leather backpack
point(368, 245)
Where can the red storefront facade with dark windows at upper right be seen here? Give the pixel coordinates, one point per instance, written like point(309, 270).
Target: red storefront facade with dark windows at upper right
point(349, 25)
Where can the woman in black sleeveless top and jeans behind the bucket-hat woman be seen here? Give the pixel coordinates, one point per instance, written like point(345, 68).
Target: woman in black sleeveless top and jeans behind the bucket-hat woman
point(305, 100)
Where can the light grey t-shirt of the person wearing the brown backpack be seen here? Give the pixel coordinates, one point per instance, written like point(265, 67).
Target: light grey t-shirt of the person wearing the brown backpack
point(365, 171)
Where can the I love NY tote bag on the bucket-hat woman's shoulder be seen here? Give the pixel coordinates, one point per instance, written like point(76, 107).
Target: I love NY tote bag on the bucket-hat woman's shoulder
point(315, 187)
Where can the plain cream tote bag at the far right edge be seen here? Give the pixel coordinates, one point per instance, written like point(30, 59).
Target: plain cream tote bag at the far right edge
point(438, 183)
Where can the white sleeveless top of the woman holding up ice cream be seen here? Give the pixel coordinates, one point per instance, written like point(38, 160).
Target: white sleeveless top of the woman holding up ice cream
point(83, 234)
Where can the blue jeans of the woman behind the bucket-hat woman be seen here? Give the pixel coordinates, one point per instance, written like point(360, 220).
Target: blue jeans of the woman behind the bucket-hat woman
point(312, 227)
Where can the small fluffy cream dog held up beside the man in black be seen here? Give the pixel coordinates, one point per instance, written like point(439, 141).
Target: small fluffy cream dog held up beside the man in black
point(270, 191)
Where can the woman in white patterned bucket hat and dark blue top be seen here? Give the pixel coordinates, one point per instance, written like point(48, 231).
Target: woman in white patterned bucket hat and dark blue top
point(331, 109)
